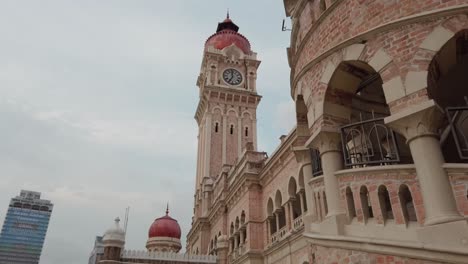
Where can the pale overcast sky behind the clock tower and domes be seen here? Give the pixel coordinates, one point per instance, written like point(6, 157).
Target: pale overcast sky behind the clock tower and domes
point(97, 100)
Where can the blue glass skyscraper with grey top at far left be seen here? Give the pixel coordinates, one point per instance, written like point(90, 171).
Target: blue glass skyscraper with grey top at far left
point(24, 229)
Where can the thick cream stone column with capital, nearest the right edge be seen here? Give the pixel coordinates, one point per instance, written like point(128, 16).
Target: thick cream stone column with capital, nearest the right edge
point(419, 126)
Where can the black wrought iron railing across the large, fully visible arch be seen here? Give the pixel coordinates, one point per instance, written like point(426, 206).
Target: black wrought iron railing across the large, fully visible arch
point(369, 142)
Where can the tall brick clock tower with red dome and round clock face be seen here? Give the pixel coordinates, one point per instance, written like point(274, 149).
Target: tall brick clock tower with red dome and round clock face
point(226, 113)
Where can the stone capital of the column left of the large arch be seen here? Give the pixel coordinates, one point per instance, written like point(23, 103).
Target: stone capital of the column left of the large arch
point(325, 141)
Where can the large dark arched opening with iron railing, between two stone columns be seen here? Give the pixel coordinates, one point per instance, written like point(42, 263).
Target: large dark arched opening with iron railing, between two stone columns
point(355, 103)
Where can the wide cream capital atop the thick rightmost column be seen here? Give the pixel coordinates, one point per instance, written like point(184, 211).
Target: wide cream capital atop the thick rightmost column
point(420, 120)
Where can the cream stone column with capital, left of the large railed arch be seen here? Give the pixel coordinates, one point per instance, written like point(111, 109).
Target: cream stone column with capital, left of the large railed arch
point(329, 145)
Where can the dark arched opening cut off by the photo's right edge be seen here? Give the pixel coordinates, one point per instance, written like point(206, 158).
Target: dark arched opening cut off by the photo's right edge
point(447, 86)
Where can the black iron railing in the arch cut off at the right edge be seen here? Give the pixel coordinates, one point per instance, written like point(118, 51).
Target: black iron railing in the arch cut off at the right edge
point(458, 119)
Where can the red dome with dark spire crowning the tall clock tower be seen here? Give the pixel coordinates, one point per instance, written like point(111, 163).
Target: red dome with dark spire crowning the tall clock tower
point(226, 35)
